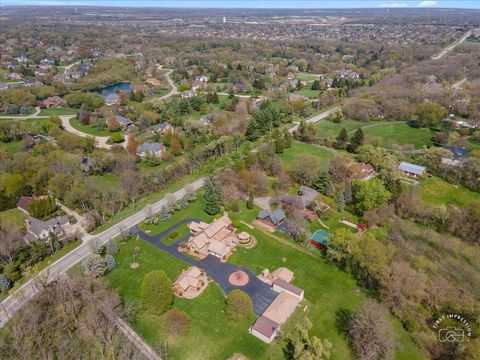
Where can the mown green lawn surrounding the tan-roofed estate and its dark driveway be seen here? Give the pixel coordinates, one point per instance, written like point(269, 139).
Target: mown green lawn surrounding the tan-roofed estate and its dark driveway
point(212, 336)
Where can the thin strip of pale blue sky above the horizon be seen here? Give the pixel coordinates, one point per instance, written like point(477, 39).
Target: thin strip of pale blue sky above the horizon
point(474, 4)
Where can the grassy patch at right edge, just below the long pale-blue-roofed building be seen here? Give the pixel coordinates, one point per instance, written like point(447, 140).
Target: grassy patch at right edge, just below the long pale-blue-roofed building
point(439, 192)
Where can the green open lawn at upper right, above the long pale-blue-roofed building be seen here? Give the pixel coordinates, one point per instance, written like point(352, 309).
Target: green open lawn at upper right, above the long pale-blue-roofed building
point(386, 135)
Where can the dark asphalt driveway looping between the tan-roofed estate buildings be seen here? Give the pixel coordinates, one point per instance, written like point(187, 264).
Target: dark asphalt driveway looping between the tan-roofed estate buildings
point(260, 292)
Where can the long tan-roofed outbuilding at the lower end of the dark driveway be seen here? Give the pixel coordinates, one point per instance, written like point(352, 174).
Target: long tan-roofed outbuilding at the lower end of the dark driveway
point(267, 326)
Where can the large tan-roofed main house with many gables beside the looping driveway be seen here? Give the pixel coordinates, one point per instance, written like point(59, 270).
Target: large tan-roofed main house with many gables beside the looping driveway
point(217, 239)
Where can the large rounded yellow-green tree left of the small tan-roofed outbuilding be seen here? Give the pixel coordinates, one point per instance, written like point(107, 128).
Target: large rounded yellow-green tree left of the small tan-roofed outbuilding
point(156, 293)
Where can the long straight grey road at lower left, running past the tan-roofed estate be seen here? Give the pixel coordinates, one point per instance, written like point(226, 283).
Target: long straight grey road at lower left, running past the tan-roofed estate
point(15, 301)
